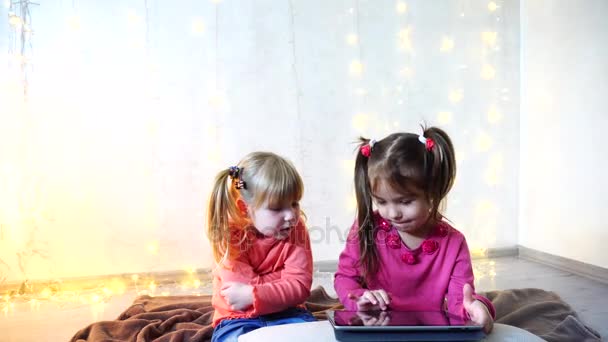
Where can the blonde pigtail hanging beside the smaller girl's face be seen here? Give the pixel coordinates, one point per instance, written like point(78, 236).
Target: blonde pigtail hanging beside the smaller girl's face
point(222, 207)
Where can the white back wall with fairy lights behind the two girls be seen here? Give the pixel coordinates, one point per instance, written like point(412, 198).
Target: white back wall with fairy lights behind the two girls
point(107, 167)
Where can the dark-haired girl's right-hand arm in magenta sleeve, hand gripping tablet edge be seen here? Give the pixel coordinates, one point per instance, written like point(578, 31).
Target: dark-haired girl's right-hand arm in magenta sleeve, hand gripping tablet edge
point(463, 274)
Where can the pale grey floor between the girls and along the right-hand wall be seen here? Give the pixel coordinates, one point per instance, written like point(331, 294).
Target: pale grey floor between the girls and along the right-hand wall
point(588, 297)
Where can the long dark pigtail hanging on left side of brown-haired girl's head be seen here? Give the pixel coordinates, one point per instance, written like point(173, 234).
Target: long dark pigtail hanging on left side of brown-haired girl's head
point(367, 248)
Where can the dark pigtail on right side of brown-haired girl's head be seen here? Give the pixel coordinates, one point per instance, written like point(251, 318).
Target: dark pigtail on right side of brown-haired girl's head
point(440, 166)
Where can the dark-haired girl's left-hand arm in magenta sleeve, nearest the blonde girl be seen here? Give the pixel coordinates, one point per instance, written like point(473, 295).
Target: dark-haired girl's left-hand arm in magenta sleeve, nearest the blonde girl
point(347, 280)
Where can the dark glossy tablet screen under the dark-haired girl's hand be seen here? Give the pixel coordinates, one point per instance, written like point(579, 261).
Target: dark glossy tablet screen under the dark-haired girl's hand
point(422, 320)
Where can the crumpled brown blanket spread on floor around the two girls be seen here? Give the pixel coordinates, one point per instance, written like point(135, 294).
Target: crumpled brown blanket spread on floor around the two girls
point(188, 318)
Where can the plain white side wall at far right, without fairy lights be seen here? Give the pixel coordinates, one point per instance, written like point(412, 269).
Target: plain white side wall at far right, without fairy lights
point(564, 99)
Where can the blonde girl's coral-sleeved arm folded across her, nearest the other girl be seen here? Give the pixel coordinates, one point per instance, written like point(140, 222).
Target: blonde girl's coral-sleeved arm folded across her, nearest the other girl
point(293, 286)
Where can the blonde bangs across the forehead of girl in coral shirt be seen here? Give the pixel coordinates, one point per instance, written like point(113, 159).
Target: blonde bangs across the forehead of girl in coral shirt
point(277, 185)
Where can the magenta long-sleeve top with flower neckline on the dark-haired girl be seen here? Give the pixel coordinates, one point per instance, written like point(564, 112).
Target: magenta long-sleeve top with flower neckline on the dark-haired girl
point(424, 278)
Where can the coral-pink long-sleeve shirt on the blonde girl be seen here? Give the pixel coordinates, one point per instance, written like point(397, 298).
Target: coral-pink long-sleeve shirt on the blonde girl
point(280, 272)
